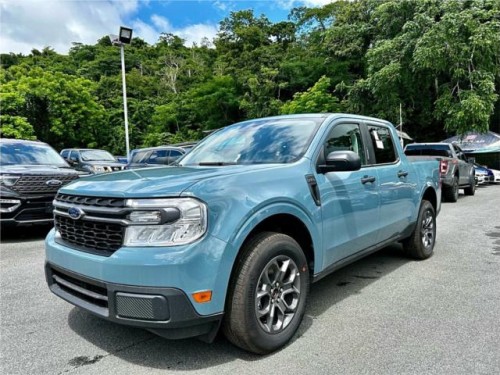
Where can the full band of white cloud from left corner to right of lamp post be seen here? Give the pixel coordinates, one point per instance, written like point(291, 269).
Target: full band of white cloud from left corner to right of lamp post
point(36, 24)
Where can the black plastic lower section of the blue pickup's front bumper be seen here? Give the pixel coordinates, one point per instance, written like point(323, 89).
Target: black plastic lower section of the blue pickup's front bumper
point(164, 311)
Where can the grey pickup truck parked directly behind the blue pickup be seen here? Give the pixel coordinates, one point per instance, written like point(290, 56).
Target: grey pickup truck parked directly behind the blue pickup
point(456, 170)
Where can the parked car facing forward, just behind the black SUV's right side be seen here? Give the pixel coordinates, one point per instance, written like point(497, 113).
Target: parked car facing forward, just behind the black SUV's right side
point(91, 160)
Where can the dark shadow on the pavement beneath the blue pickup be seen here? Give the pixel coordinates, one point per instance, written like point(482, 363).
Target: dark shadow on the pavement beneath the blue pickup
point(142, 348)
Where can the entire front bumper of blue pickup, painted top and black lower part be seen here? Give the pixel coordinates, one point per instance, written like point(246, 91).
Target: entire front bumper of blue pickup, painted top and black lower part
point(150, 287)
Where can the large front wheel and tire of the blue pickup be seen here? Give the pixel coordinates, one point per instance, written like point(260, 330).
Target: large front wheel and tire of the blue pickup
point(267, 296)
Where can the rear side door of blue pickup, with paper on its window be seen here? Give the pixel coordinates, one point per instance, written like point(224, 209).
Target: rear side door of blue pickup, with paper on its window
point(396, 181)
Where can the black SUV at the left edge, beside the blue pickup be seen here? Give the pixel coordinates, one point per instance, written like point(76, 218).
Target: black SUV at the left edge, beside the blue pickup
point(31, 172)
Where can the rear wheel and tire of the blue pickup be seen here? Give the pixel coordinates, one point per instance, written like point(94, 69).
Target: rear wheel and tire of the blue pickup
point(420, 245)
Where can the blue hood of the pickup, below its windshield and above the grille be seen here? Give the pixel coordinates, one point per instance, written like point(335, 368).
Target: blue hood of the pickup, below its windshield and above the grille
point(152, 182)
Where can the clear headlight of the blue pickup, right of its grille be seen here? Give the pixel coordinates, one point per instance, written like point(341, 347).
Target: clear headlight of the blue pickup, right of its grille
point(165, 222)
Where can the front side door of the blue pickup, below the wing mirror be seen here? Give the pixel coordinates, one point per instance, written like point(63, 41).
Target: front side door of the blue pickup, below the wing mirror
point(349, 200)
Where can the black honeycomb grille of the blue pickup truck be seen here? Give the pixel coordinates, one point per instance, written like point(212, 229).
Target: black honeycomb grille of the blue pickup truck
point(99, 231)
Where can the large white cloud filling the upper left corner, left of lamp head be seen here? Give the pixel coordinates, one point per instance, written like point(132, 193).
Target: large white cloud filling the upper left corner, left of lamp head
point(28, 24)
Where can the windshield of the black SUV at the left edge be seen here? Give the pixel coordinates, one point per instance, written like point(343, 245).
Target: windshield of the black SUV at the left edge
point(29, 154)
